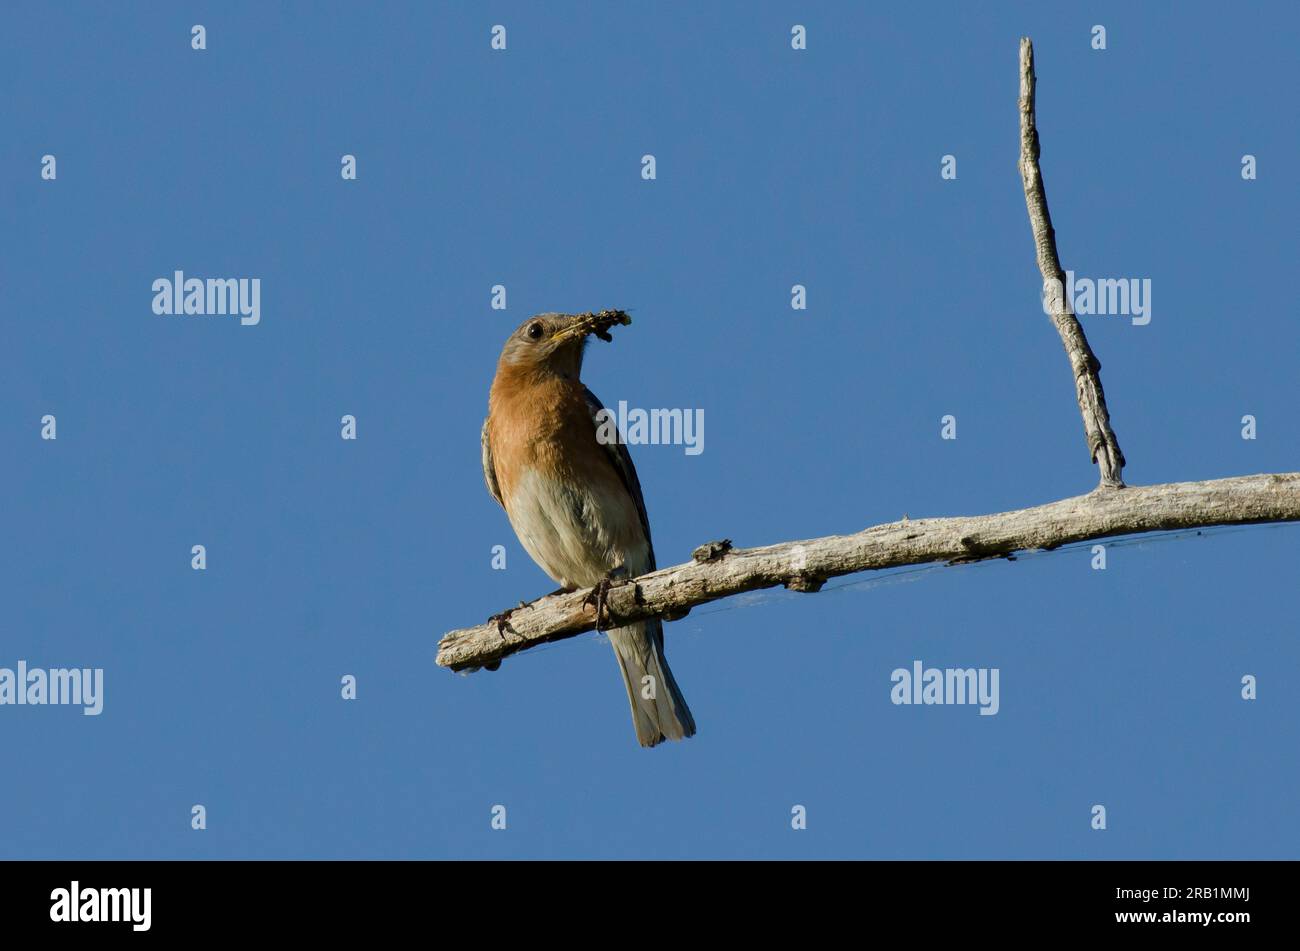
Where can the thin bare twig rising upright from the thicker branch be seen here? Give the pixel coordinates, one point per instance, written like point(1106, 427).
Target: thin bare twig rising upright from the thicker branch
point(1103, 445)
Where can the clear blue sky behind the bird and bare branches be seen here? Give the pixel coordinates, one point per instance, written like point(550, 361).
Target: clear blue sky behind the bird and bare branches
point(523, 168)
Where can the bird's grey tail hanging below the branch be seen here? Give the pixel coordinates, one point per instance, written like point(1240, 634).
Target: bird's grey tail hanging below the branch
point(658, 709)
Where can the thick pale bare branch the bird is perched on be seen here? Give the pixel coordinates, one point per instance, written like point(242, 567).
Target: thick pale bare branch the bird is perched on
point(722, 571)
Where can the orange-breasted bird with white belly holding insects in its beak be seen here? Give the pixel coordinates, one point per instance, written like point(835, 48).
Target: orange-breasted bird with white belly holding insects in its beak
point(574, 500)
